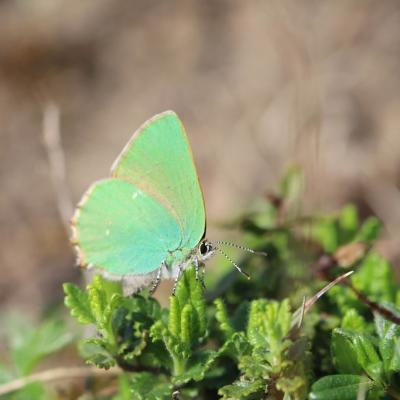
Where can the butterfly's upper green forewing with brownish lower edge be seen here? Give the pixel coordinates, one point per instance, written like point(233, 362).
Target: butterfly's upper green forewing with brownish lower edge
point(158, 160)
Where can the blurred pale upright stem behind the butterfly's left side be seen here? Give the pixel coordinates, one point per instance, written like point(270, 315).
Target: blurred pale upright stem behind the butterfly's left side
point(55, 154)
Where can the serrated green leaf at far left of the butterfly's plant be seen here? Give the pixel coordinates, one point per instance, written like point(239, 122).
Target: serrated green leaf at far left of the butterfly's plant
point(78, 303)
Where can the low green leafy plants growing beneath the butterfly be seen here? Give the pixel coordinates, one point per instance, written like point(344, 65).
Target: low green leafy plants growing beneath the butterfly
point(271, 337)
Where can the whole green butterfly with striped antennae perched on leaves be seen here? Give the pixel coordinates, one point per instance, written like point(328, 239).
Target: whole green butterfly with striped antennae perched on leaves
point(149, 217)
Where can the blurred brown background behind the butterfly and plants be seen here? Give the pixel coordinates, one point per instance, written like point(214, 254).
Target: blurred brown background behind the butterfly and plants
point(258, 84)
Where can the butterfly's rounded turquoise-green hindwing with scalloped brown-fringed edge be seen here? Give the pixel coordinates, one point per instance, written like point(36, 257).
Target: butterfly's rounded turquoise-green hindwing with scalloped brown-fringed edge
point(122, 229)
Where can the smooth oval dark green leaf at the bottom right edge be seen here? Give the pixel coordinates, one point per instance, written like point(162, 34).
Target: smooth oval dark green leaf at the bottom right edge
point(339, 387)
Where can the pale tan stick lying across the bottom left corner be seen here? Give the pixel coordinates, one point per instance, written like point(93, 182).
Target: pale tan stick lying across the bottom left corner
point(56, 374)
